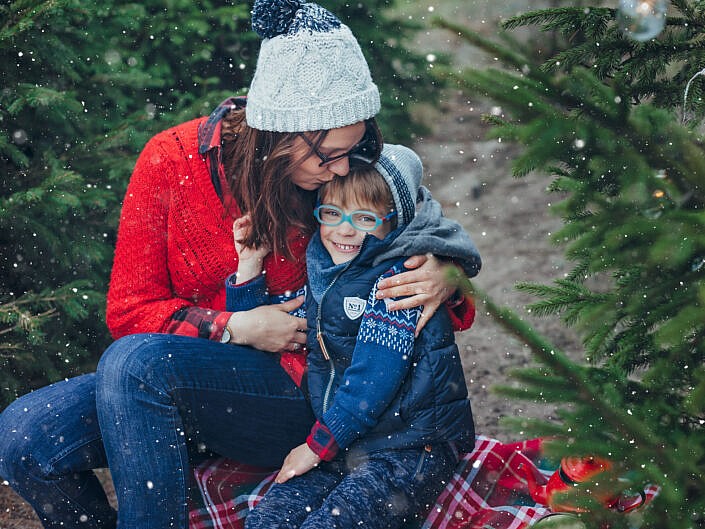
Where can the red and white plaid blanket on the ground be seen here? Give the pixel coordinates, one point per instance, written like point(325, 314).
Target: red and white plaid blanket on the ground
point(488, 490)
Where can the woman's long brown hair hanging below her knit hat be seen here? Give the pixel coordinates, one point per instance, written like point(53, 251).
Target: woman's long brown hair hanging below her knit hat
point(258, 167)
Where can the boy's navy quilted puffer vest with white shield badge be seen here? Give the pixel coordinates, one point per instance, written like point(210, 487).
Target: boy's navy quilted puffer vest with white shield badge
point(432, 404)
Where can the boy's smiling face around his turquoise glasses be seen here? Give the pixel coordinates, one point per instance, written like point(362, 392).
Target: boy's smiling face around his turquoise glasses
point(343, 242)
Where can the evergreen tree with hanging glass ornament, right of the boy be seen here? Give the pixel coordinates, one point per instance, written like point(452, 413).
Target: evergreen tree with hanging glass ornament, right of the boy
point(616, 123)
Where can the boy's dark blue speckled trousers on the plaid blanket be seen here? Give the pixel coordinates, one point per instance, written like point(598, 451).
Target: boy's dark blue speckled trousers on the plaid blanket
point(379, 490)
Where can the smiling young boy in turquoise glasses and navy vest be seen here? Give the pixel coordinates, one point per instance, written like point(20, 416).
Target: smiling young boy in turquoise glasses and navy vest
point(392, 409)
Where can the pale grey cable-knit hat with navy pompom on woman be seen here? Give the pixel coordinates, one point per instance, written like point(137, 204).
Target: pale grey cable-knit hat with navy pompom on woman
point(311, 74)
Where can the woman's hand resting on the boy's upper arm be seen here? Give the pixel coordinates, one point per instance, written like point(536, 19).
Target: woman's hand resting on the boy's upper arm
point(426, 284)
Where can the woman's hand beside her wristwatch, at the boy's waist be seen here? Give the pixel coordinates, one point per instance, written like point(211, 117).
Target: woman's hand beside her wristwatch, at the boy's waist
point(269, 327)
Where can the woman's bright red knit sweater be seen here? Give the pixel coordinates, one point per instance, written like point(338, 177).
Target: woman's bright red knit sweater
point(175, 245)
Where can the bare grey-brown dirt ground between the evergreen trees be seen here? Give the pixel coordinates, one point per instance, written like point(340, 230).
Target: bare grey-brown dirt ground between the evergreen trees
point(510, 224)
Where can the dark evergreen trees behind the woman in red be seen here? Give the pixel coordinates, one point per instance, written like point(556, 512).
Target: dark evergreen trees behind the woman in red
point(84, 85)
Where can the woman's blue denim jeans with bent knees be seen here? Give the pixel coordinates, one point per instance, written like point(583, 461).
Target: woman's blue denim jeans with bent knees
point(155, 401)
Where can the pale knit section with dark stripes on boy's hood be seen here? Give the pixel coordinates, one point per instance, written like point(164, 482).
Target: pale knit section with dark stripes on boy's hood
point(402, 169)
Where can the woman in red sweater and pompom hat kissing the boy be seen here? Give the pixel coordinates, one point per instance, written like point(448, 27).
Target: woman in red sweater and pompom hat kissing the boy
point(184, 375)
